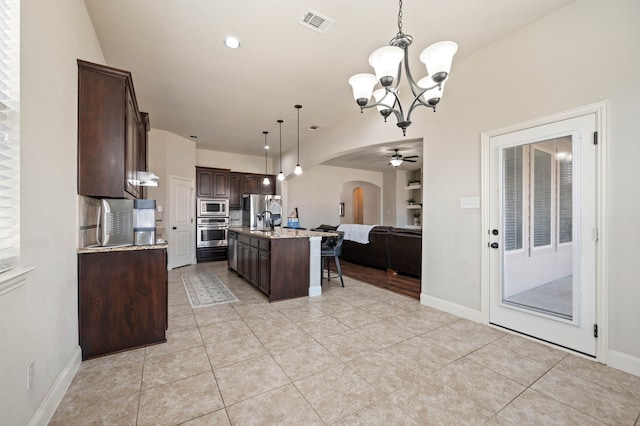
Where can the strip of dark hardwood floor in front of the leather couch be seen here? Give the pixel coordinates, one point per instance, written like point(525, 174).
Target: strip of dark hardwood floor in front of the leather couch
point(399, 283)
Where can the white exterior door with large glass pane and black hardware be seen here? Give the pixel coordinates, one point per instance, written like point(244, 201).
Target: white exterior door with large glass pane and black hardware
point(543, 218)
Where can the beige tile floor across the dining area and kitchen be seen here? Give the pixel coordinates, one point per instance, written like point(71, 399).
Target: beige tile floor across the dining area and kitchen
point(357, 355)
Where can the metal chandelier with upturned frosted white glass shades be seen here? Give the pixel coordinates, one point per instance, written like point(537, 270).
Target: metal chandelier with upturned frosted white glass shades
point(387, 63)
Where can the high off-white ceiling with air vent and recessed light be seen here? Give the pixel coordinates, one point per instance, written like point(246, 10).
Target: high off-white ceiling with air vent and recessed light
point(192, 85)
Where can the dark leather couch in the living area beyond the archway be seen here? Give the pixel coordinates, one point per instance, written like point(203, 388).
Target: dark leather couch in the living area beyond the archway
point(389, 248)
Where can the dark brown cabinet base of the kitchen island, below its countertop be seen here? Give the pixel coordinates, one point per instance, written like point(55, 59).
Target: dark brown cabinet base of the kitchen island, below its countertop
point(278, 267)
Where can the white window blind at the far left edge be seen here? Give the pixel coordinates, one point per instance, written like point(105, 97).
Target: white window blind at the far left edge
point(9, 132)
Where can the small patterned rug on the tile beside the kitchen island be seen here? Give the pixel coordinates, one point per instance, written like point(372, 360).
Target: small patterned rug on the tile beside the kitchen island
point(205, 289)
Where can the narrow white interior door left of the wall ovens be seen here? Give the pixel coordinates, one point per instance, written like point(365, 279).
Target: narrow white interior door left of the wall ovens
point(182, 227)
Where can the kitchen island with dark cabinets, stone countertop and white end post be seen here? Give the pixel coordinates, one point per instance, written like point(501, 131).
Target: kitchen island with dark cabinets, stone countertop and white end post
point(282, 263)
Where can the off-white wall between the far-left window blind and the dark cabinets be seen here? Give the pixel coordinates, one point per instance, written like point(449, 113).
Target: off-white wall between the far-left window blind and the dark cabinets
point(39, 321)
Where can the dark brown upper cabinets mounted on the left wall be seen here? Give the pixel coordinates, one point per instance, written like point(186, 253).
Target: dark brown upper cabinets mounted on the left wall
point(112, 133)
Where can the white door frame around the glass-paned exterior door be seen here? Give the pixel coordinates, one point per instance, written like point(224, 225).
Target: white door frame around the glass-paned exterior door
point(600, 111)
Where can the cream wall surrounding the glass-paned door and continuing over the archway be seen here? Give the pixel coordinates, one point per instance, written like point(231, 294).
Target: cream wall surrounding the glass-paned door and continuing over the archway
point(583, 53)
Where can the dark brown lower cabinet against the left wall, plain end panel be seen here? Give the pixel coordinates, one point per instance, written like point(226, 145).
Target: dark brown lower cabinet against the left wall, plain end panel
point(122, 300)
